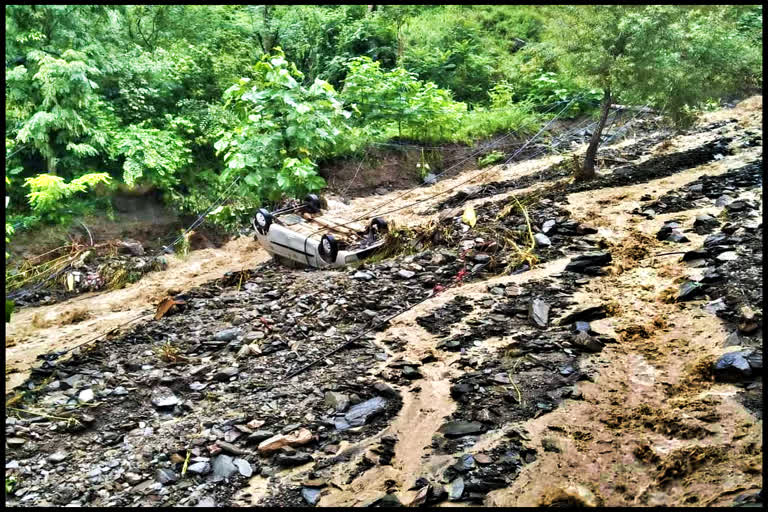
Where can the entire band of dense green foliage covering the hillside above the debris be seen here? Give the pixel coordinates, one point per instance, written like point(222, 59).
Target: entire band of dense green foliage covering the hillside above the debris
point(138, 91)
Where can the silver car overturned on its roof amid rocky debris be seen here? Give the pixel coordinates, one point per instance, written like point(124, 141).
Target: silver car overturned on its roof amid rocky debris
point(303, 235)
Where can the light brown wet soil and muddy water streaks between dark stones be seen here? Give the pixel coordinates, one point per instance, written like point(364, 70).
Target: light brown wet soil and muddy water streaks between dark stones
point(647, 427)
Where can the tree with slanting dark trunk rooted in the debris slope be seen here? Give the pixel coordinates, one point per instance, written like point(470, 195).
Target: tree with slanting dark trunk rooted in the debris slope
point(670, 57)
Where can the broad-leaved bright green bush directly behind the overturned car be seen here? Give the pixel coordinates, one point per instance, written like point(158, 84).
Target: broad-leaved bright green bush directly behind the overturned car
point(282, 128)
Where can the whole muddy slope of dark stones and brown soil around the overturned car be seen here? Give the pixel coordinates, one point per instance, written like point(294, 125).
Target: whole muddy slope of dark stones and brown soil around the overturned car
point(618, 362)
